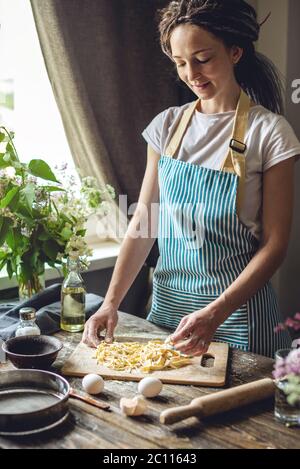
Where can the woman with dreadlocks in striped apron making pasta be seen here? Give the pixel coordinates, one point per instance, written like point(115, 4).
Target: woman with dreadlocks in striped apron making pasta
point(225, 187)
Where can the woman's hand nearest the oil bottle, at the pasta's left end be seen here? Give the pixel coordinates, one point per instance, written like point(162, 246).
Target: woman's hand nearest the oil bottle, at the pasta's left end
point(106, 318)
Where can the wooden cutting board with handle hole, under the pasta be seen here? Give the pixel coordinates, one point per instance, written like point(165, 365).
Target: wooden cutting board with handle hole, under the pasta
point(198, 373)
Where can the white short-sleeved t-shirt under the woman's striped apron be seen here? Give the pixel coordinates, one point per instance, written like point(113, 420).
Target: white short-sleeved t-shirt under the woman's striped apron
point(270, 140)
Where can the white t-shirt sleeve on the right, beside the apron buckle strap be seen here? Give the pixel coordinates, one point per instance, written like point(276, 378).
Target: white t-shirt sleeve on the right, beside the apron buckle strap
point(281, 144)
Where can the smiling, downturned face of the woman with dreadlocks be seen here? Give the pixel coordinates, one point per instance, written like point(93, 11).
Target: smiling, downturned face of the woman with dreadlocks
point(203, 62)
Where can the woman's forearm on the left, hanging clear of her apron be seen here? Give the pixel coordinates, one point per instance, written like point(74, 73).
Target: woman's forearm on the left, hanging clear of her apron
point(132, 256)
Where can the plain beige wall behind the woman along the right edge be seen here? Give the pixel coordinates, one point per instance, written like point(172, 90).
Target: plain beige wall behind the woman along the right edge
point(279, 40)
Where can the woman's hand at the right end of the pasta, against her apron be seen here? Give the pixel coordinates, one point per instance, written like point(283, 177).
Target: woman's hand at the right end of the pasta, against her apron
point(195, 332)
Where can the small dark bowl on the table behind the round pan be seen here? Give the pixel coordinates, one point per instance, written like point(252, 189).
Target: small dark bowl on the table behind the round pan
point(37, 352)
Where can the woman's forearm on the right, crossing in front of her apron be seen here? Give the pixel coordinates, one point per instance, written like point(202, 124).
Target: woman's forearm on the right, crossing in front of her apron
point(257, 273)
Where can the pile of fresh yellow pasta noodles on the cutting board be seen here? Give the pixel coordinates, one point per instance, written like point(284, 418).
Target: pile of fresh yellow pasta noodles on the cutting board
point(145, 357)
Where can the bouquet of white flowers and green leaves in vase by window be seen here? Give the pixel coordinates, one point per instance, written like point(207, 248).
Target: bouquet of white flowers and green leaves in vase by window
point(42, 216)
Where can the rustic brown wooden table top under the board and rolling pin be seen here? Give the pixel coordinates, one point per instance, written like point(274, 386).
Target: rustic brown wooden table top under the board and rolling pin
point(88, 427)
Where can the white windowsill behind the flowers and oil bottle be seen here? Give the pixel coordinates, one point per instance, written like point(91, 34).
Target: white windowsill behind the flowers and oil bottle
point(104, 257)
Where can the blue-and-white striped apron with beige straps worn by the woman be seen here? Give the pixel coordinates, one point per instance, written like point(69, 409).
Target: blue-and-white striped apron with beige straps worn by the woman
point(204, 247)
